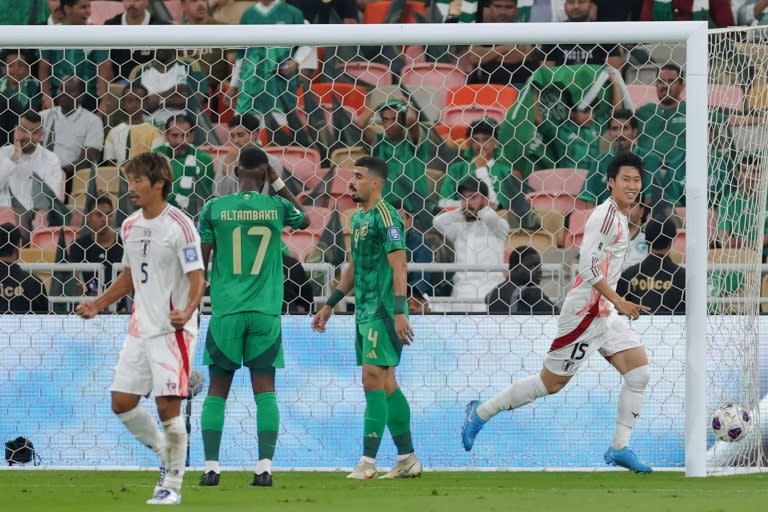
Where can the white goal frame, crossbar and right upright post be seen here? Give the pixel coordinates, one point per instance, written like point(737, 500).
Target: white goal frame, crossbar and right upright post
point(692, 34)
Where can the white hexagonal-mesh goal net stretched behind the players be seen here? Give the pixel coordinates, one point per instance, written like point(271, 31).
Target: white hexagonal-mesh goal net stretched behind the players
point(469, 127)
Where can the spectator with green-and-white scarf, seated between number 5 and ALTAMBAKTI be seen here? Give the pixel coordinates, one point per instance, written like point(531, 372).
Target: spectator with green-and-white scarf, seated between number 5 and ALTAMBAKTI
point(193, 171)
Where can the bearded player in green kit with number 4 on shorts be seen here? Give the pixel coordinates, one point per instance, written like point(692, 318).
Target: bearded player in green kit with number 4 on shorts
point(378, 273)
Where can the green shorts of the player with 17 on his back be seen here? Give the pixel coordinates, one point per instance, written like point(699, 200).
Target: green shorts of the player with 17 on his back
point(253, 339)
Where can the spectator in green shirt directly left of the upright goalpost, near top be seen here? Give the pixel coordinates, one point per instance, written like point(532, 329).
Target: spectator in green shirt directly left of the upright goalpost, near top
point(662, 125)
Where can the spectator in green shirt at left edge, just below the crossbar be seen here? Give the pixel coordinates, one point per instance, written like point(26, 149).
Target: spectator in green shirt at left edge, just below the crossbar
point(23, 90)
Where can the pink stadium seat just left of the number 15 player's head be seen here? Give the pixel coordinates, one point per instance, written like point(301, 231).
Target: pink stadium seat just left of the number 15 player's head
point(557, 188)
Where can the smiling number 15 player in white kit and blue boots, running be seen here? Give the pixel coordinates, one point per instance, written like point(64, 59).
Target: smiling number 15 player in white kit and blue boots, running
point(589, 321)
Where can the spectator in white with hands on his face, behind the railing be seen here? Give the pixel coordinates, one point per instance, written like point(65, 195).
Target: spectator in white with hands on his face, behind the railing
point(478, 235)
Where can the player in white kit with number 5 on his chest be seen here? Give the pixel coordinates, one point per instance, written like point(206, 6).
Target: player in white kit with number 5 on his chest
point(164, 269)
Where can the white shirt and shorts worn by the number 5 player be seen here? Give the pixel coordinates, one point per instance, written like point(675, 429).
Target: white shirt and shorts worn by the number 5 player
point(159, 252)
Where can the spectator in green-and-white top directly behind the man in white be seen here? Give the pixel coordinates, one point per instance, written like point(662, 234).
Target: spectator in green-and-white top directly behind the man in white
point(482, 159)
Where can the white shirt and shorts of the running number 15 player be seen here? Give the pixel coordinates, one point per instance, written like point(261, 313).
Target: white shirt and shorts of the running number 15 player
point(588, 321)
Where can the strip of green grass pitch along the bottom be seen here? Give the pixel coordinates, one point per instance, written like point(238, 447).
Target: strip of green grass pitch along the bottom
point(86, 491)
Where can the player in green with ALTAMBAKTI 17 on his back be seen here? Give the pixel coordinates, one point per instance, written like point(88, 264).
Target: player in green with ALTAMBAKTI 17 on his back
point(243, 232)
